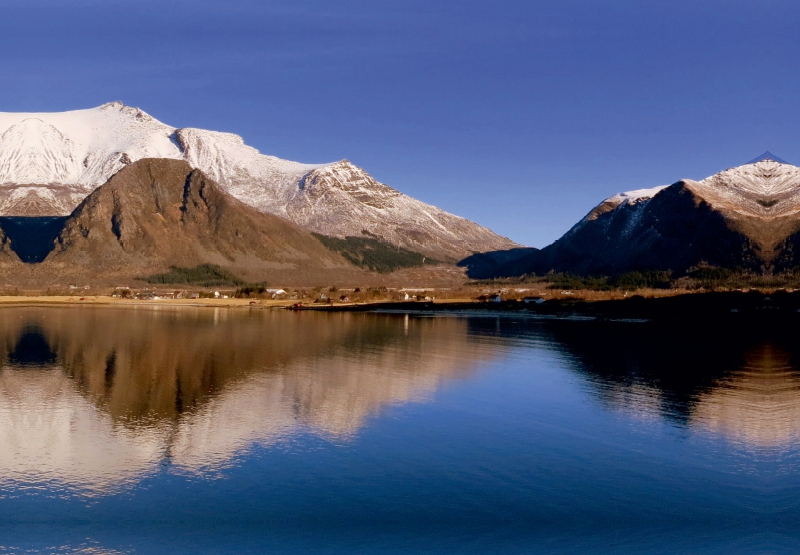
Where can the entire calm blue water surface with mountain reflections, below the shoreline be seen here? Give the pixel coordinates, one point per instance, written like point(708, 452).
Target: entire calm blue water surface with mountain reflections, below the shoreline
point(232, 431)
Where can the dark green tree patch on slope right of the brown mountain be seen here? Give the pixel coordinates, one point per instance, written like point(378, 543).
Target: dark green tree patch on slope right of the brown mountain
point(373, 253)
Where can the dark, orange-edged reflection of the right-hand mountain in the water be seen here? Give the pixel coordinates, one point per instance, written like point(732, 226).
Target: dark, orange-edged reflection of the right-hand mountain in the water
point(740, 384)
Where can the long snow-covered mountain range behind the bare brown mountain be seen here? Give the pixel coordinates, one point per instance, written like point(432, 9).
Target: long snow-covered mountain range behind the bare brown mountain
point(50, 162)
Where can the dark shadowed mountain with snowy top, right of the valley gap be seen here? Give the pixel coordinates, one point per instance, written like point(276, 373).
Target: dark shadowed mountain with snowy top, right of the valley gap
point(746, 217)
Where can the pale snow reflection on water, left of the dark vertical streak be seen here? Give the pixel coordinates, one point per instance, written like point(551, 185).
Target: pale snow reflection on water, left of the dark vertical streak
point(52, 434)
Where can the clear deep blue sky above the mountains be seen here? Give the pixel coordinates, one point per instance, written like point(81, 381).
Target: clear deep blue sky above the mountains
point(520, 115)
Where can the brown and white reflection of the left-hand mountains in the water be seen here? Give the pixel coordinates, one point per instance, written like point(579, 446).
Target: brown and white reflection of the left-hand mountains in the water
point(90, 399)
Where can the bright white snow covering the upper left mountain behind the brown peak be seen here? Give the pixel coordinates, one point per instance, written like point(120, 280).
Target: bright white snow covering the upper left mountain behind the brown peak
point(60, 157)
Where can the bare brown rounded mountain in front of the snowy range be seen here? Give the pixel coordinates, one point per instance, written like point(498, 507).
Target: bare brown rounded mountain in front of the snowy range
point(157, 213)
